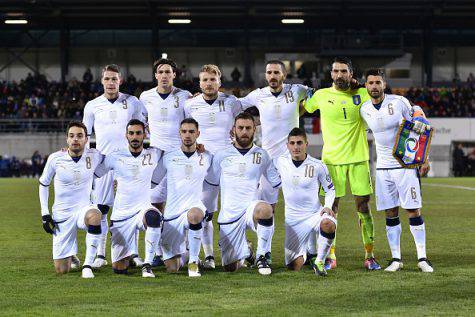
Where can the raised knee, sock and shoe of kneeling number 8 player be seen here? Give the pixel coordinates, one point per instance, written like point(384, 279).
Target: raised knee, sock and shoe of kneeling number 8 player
point(92, 220)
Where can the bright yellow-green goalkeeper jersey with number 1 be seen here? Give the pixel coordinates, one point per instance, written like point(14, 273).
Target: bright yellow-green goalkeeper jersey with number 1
point(343, 129)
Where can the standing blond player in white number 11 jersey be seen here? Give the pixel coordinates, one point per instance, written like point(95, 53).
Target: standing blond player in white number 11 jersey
point(215, 112)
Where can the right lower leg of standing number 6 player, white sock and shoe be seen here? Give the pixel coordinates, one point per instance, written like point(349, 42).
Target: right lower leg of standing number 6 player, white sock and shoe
point(418, 231)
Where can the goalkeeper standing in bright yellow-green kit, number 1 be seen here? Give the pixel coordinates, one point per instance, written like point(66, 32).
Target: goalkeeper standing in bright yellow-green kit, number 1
point(345, 149)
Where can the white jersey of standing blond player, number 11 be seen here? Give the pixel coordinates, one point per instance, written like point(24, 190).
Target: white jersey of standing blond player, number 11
point(215, 120)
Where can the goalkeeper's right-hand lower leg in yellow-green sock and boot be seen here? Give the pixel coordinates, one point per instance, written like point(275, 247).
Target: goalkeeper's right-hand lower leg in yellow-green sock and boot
point(367, 231)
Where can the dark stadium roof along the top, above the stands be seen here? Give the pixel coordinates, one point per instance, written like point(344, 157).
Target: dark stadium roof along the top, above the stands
point(332, 14)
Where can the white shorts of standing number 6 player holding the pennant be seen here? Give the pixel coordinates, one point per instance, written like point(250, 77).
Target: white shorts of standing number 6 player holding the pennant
point(397, 187)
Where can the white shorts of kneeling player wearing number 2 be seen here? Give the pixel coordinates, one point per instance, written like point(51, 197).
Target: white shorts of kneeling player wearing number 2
point(174, 233)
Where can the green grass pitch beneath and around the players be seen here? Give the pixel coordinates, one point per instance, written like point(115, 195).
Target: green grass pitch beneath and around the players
point(29, 286)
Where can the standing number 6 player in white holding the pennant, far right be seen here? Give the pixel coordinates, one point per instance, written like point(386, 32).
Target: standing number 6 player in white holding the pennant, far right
point(395, 186)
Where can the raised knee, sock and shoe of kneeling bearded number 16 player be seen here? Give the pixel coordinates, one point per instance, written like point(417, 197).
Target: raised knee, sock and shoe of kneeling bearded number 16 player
point(263, 219)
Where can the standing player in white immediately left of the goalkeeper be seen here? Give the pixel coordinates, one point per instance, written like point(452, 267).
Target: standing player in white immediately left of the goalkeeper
point(279, 108)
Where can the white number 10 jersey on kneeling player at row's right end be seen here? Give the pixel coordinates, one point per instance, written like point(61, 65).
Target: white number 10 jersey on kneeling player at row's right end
point(300, 186)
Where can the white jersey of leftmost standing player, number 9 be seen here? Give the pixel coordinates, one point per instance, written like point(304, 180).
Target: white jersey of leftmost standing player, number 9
point(110, 120)
